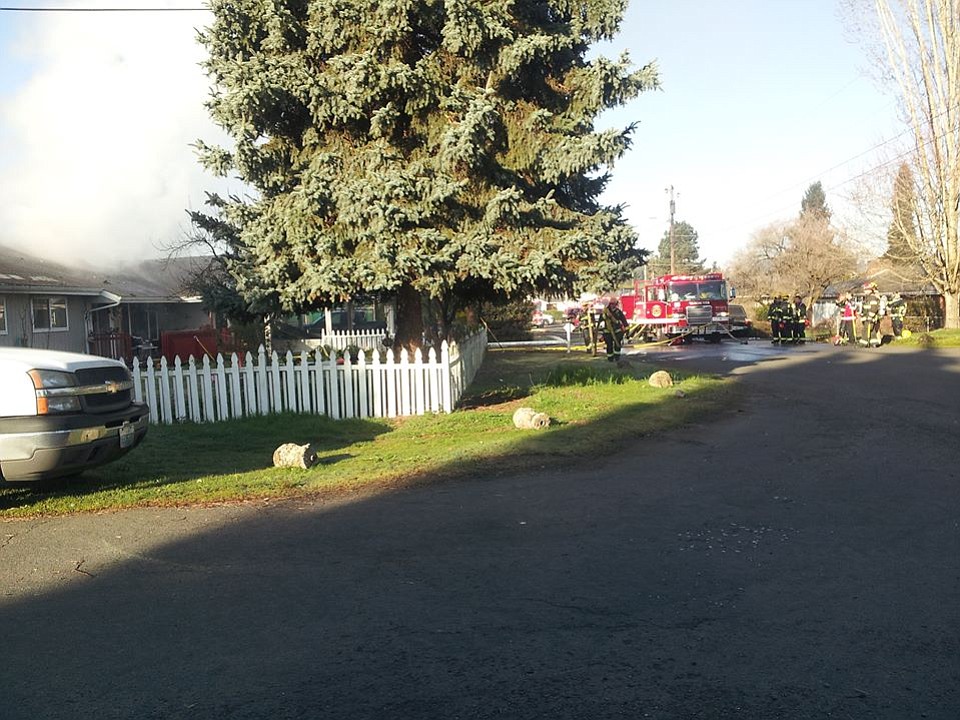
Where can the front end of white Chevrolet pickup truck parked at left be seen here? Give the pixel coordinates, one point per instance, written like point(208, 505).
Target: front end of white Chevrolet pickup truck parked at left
point(61, 413)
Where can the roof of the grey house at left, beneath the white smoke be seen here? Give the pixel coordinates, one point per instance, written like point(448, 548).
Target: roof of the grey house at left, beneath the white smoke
point(150, 281)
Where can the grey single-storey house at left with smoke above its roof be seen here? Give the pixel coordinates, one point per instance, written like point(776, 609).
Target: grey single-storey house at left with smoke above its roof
point(116, 313)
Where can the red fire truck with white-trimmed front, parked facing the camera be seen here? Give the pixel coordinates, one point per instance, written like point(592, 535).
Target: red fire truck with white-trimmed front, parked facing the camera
point(679, 306)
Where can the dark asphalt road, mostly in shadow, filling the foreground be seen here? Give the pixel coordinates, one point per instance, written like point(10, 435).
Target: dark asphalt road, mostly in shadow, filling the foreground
point(798, 557)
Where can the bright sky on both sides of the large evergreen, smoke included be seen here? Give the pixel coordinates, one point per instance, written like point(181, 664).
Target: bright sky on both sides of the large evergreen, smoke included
point(759, 99)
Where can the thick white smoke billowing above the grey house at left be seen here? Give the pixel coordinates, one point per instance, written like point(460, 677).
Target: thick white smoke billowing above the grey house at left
point(96, 163)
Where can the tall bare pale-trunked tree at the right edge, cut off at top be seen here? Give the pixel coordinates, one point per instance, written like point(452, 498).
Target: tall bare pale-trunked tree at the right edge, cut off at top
point(921, 43)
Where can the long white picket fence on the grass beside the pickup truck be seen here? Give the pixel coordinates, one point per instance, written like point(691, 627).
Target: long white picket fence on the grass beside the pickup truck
point(393, 386)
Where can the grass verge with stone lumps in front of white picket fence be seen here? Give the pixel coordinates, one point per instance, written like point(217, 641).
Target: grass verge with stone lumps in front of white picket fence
point(595, 407)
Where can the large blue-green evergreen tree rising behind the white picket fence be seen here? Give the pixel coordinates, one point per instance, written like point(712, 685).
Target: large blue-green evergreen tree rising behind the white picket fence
point(441, 150)
